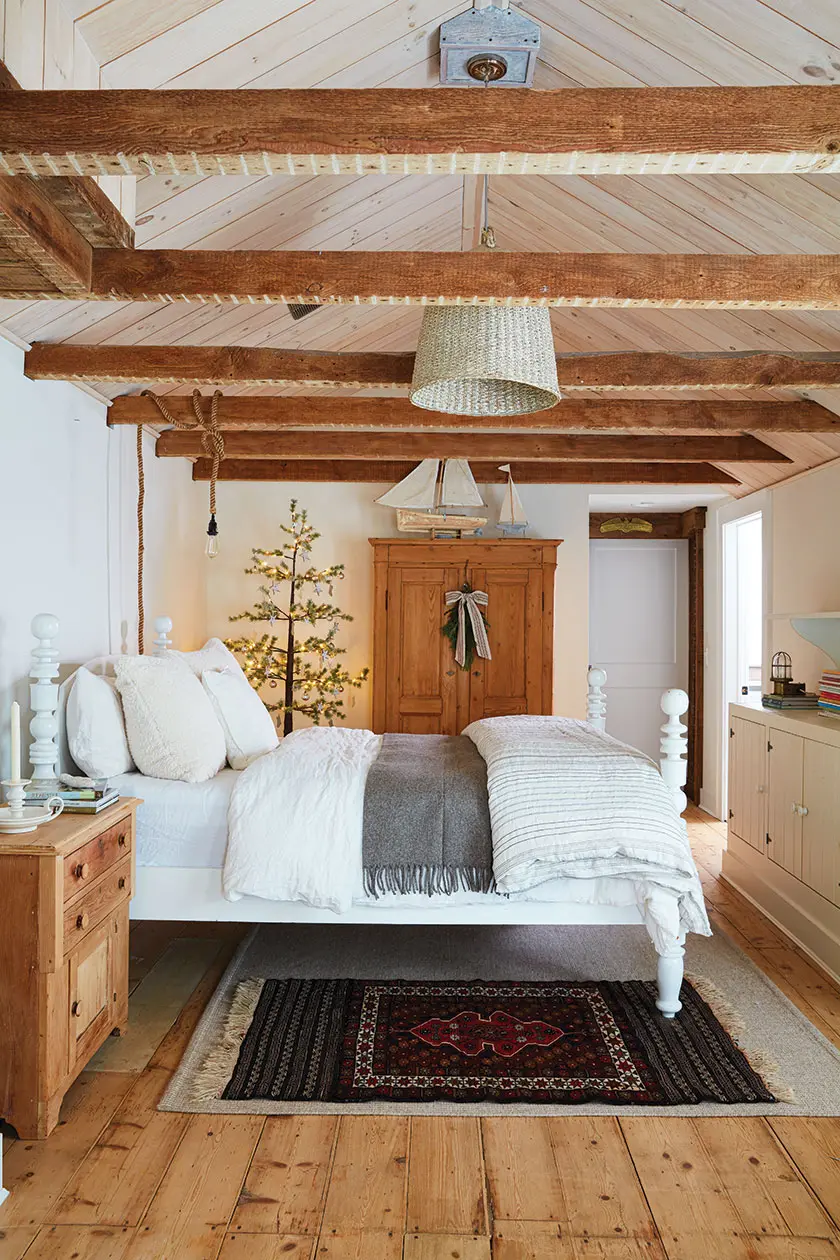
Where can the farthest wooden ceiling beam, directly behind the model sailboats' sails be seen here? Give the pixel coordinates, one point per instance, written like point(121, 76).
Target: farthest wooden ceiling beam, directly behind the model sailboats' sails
point(542, 474)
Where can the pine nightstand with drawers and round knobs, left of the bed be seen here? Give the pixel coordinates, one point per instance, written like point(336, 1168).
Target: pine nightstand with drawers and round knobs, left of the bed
point(65, 894)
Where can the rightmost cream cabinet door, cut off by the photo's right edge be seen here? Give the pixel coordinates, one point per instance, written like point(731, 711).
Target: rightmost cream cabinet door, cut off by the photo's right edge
point(822, 825)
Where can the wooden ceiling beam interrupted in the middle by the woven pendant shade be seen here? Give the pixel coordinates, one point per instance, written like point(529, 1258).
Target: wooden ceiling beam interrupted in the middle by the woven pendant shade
point(263, 366)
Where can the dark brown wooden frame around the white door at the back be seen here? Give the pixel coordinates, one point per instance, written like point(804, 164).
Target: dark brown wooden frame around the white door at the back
point(676, 526)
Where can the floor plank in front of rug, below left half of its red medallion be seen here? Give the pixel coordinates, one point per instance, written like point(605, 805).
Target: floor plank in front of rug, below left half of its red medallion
point(446, 1193)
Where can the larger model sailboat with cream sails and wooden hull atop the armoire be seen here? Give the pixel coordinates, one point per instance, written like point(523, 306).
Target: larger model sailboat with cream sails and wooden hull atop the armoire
point(425, 497)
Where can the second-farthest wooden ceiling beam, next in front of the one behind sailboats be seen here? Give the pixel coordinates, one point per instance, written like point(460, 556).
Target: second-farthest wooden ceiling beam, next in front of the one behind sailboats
point(547, 448)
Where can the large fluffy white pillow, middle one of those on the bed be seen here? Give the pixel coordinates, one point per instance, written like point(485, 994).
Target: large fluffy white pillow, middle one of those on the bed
point(173, 731)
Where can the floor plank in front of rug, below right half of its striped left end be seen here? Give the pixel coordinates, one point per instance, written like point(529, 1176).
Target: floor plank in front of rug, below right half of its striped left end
point(287, 1184)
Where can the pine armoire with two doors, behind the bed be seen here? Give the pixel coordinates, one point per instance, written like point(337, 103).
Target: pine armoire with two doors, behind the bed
point(417, 686)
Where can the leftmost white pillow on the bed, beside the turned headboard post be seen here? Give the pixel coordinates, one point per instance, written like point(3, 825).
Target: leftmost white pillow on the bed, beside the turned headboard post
point(96, 730)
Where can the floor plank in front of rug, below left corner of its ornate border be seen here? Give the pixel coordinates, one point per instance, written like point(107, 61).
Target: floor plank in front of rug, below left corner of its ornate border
point(368, 1184)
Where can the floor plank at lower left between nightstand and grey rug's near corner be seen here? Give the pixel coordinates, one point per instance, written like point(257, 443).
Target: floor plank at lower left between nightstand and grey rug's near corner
point(118, 1180)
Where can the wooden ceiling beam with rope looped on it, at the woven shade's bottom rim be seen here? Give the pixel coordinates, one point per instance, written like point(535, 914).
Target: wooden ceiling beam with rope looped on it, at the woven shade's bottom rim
point(239, 413)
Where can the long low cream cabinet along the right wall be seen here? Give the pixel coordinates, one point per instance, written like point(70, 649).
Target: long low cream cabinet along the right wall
point(784, 842)
